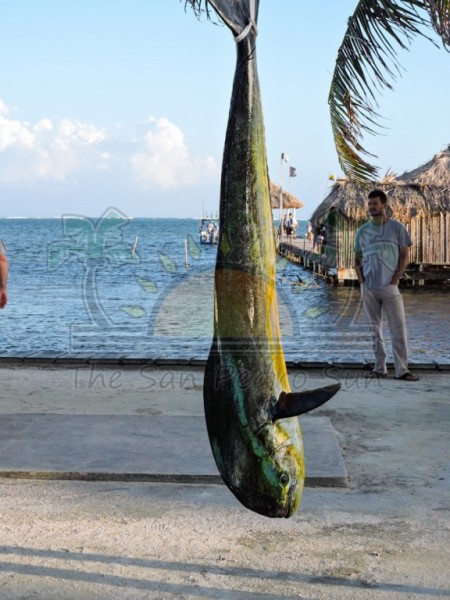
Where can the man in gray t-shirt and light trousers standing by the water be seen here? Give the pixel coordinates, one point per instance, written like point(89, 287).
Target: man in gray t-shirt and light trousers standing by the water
point(381, 256)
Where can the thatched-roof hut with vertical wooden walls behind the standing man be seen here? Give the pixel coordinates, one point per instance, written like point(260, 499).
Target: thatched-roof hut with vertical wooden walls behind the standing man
point(420, 199)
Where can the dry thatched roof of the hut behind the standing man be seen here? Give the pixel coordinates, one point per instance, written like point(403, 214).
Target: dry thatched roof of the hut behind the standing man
point(423, 191)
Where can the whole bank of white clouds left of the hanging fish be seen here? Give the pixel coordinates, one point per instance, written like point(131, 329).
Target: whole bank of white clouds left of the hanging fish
point(69, 150)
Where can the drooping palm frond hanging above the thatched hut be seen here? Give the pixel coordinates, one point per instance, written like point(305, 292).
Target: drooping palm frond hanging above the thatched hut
point(367, 63)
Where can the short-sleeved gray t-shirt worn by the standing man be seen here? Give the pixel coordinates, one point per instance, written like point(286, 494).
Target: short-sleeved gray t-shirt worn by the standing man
point(380, 247)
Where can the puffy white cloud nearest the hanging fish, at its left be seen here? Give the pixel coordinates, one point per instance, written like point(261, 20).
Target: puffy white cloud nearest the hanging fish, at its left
point(165, 160)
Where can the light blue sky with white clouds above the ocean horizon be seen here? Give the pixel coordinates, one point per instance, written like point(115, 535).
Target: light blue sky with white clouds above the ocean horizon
point(113, 103)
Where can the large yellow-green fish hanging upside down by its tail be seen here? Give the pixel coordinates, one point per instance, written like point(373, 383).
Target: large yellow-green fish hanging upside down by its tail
point(251, 415)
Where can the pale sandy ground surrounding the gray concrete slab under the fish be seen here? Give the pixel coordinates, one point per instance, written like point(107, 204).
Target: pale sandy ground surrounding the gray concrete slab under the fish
point(384, 536)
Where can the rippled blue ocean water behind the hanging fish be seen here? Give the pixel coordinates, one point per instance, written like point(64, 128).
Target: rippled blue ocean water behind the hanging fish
point(77, 287)
